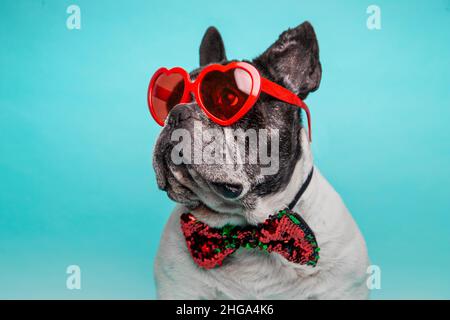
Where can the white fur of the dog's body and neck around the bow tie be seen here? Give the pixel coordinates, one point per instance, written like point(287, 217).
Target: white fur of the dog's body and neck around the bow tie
point(252, 274)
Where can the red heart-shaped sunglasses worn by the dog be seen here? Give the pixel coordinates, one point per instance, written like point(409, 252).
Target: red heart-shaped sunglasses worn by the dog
point(224, 93)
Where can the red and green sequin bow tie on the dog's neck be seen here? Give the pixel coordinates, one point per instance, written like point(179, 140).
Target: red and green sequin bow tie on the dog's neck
point(285, 233)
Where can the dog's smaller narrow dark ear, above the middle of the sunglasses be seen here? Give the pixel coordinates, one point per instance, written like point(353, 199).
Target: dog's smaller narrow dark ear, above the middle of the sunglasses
point(212, 49)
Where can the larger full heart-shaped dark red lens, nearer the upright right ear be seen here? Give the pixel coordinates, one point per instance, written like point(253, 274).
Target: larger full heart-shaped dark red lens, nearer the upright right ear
point(224, 93)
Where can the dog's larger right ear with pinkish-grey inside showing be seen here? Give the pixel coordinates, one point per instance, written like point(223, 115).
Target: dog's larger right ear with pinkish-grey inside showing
point(293, 60)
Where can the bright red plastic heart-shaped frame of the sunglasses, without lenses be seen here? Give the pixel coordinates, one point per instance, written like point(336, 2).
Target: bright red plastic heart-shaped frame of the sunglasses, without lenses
point(259, 84)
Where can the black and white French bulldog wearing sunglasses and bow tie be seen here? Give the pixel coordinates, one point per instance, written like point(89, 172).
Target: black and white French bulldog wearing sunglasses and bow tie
point(229, 194)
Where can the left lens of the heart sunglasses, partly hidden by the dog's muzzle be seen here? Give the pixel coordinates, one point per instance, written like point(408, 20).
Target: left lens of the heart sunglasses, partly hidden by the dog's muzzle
point(167, 92)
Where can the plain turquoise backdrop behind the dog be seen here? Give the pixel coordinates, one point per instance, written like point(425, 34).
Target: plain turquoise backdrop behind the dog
point(76, 182)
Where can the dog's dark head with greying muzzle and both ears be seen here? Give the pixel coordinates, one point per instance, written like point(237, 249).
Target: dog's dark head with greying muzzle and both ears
point(235, 188)
